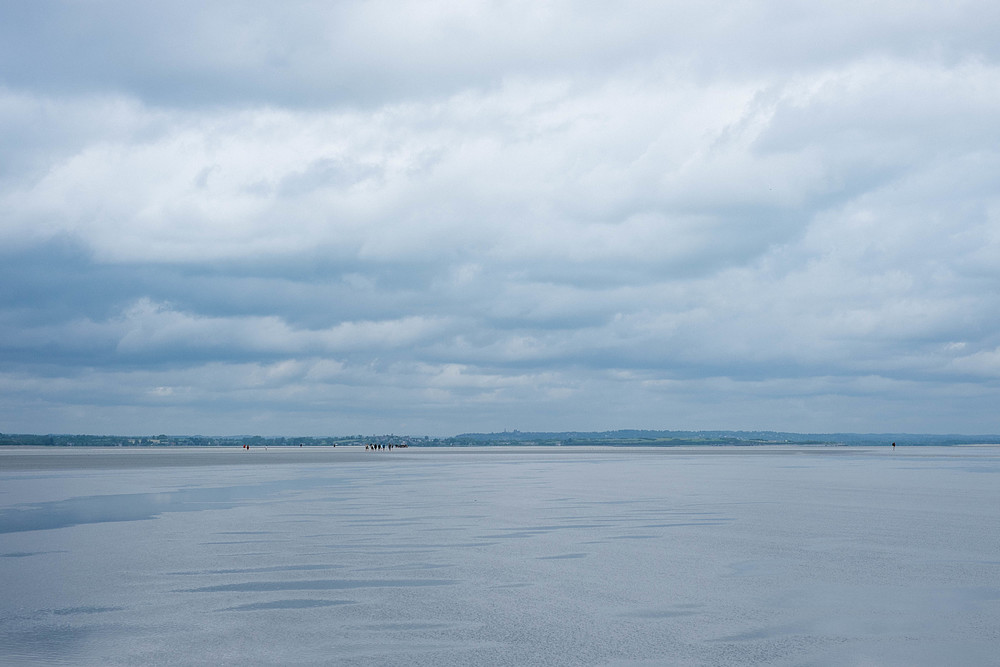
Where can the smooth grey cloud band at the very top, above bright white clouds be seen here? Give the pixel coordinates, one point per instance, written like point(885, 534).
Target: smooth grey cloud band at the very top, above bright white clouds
point(352, 53)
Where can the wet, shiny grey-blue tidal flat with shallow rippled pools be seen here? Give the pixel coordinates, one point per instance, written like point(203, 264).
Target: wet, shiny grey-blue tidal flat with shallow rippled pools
point(501, 556)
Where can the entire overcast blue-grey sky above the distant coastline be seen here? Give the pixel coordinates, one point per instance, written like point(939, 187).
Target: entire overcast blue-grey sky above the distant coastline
point(313, 218)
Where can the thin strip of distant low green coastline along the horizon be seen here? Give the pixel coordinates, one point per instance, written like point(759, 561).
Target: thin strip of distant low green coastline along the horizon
point(619, 438)
